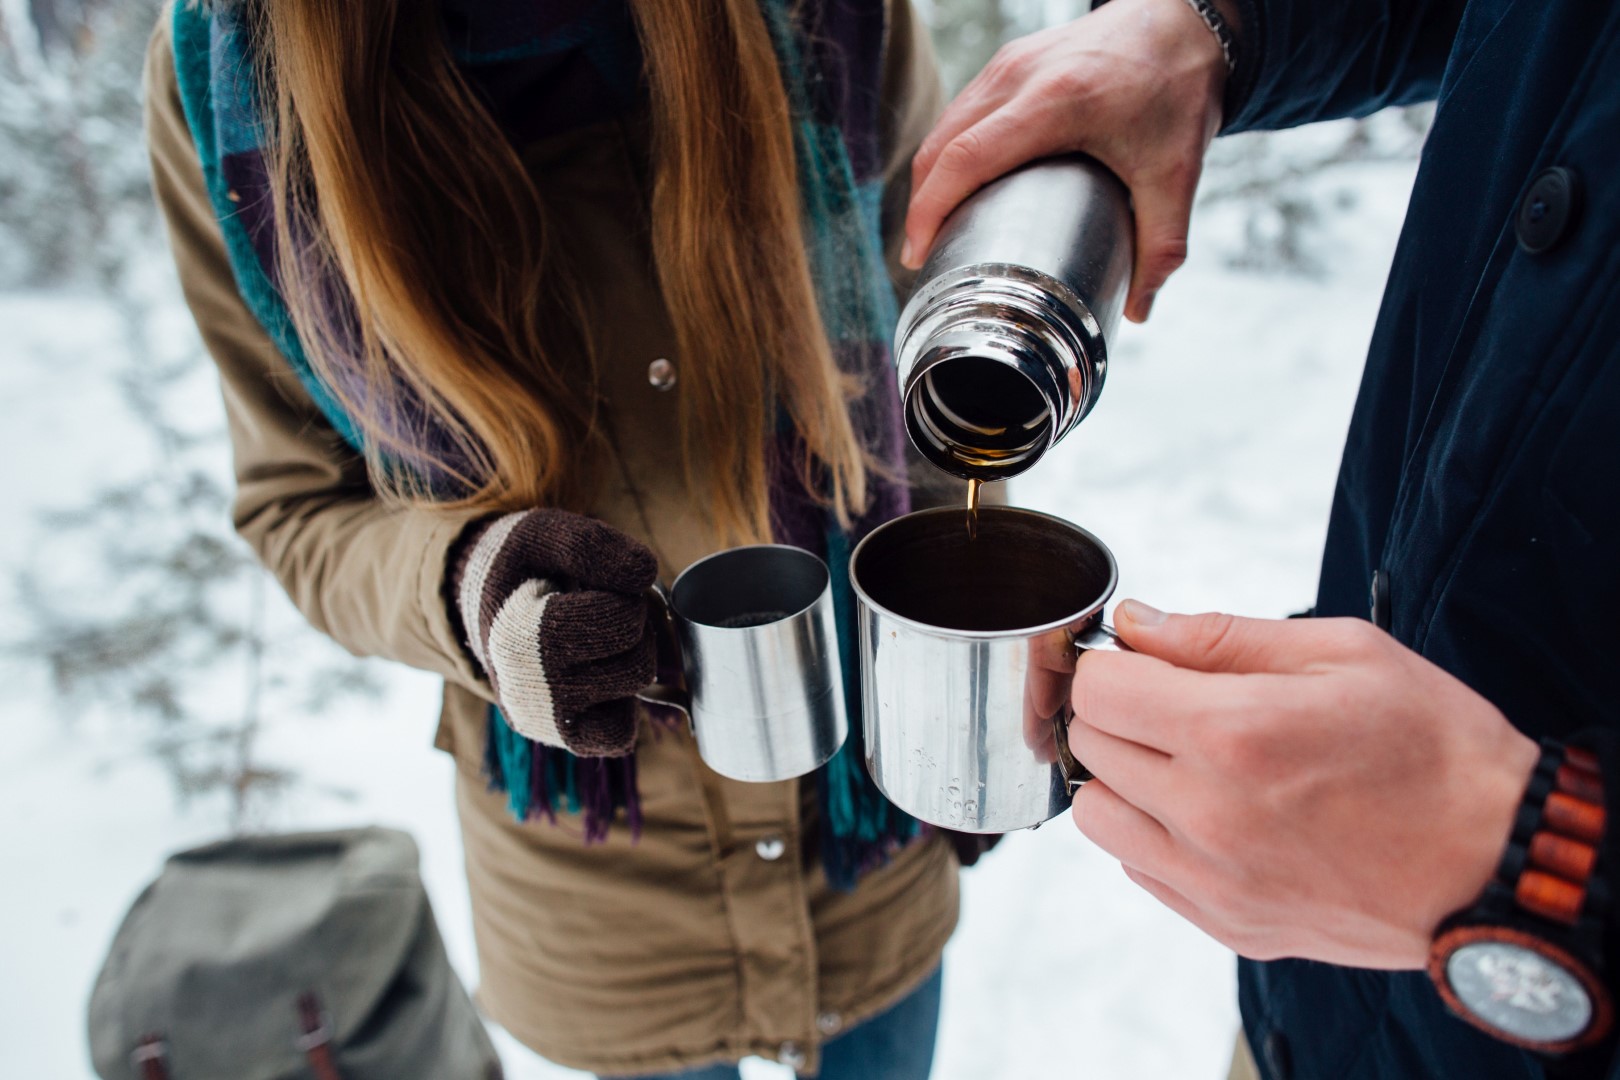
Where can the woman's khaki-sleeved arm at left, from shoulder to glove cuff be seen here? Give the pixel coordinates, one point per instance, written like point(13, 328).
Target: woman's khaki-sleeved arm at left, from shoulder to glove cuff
point(367, 574)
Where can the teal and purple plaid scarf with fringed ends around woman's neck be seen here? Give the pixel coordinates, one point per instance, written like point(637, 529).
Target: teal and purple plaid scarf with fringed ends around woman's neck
point(552, 67)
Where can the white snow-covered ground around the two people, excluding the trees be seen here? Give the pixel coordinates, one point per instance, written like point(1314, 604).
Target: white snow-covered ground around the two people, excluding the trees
point(1208, 467)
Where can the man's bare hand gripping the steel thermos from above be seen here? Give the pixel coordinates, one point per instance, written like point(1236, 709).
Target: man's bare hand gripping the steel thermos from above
point(1136, 85)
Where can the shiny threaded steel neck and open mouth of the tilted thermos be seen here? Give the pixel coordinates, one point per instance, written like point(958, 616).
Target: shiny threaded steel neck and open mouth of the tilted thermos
point(997, 364)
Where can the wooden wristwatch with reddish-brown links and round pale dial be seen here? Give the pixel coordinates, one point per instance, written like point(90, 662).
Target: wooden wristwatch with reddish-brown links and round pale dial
point(1525, 963)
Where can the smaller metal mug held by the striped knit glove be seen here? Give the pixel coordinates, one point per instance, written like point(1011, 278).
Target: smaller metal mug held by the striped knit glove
point(759, 653)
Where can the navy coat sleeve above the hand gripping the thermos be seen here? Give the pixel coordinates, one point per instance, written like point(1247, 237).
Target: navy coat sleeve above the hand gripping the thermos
point(1329, 59)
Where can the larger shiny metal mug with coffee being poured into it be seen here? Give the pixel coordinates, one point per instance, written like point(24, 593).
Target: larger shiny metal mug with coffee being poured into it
point(968, 648)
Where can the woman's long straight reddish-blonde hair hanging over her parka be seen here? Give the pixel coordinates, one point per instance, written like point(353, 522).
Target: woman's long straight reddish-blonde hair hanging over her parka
point(459, 310)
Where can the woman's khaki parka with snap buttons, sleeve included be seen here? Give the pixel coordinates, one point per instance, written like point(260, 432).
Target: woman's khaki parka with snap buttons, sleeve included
point(717, 935)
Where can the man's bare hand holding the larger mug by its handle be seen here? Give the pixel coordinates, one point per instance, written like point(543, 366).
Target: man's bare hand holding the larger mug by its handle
point(1297, 789)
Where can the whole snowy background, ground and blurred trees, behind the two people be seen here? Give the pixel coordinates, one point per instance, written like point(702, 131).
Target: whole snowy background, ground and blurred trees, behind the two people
point(156, 692)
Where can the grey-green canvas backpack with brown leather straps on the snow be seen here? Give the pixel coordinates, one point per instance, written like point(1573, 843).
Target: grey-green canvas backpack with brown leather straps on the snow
point(286, 958)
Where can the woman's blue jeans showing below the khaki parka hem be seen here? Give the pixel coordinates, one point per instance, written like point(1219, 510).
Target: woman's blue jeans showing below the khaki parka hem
point(895, 1045)
